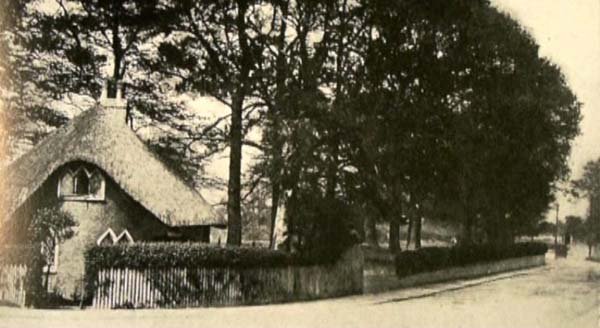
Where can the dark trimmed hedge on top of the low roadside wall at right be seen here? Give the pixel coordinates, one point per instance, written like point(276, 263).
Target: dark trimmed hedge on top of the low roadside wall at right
point(436, 258)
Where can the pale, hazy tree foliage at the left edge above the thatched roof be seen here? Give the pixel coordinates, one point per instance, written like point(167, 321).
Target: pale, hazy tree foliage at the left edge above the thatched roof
point(25, 112)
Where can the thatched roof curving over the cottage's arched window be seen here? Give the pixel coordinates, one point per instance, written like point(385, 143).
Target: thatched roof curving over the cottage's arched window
point(101, 137)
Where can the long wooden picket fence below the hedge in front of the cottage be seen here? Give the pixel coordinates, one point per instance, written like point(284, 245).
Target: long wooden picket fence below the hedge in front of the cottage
point(198, 287)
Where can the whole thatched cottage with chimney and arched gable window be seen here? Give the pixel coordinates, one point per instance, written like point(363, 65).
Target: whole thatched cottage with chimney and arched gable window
point(97, 169)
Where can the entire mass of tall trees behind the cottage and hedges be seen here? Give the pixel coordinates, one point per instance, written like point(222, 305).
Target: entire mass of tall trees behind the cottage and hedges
point(403, 110)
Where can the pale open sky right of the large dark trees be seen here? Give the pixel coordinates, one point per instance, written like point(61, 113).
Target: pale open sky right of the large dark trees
point(568, 32)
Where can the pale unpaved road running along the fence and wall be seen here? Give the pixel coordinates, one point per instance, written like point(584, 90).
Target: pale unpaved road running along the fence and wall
point(564, 293)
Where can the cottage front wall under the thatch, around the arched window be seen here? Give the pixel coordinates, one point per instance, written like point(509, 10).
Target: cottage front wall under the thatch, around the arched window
point(117, 211)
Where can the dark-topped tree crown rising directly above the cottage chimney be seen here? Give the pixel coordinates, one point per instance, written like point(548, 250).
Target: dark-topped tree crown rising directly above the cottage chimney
point(95, 35)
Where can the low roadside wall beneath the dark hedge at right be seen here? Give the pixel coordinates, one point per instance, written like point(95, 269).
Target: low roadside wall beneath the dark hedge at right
point(375, 282)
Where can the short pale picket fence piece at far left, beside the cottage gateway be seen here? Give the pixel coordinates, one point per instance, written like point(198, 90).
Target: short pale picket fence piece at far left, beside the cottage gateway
point(12, 284)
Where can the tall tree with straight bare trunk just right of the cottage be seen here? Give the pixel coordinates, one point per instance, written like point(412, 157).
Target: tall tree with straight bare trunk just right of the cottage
point(212, 51)
